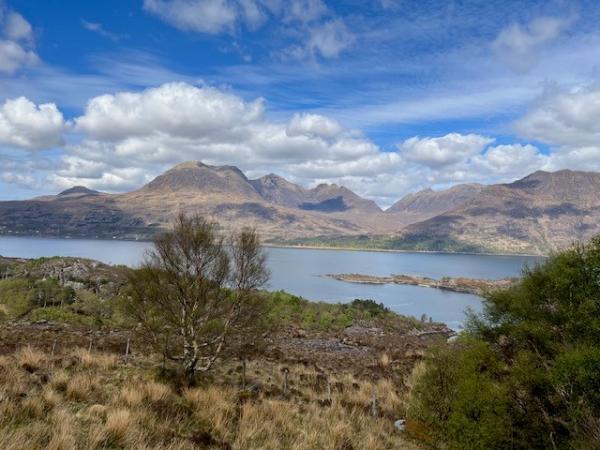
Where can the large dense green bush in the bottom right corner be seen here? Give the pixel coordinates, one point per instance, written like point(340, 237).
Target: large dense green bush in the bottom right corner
point(526, 375)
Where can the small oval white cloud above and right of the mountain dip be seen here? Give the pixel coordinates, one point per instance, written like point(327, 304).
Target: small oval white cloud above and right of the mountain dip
point(443, 151)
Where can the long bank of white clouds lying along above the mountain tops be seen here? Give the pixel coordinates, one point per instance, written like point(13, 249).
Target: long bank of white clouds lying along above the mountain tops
point(123, 140)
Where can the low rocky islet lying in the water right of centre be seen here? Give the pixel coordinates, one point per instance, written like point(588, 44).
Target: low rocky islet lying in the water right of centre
point(464, 285)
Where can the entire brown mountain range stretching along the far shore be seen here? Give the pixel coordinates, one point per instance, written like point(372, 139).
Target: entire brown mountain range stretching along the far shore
point(537, 214)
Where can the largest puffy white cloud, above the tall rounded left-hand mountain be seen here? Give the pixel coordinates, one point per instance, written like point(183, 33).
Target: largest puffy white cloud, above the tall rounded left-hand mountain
point(159, 127)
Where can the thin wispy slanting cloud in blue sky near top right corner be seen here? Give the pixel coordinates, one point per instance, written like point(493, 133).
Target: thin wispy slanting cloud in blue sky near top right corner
point(519, 45)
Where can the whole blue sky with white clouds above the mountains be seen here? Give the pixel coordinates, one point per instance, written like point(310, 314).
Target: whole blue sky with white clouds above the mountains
point(386, 97)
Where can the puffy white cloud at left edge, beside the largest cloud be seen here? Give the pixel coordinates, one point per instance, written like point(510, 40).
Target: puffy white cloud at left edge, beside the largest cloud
point(26, 125)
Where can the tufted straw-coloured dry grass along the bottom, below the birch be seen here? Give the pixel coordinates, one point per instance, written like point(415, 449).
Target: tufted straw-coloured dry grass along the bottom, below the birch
point(89, 400)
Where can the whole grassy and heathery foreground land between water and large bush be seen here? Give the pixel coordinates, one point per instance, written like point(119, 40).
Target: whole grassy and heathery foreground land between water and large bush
point(348, 369)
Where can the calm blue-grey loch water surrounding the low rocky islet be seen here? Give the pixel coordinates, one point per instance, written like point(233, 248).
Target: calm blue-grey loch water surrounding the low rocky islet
point(300, 271)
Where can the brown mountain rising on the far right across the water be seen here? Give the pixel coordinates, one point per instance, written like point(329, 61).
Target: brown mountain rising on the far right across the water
point(537, 214)
